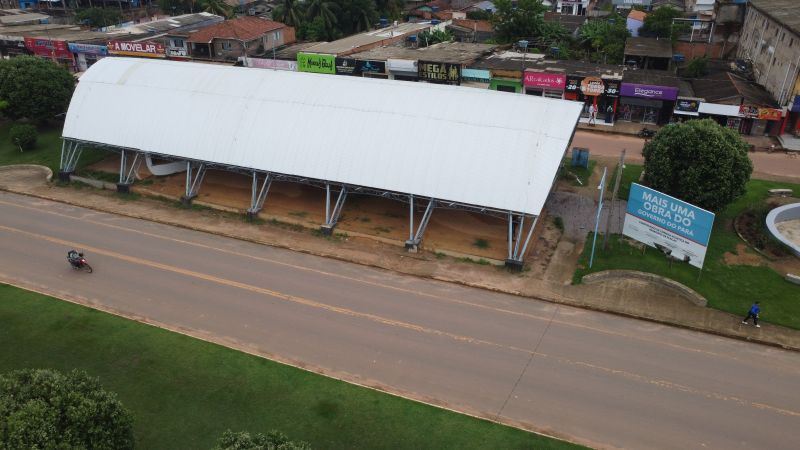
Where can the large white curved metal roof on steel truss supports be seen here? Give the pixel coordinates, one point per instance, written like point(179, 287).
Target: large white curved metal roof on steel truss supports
point(472, 146)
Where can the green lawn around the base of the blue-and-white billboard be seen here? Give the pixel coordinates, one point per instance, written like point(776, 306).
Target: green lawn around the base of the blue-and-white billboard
point(728, 287)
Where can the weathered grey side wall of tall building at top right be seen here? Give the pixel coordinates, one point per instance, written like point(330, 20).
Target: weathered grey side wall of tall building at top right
point(775, 52)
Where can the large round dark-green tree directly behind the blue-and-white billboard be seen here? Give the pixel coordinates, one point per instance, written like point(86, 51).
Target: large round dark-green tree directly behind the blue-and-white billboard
point(699, 162)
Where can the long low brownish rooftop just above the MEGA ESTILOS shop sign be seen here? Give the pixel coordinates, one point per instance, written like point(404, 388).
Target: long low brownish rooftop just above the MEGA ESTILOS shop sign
point(446, 52)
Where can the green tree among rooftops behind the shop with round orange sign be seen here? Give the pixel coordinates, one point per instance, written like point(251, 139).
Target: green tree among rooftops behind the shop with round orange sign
point(605, 37)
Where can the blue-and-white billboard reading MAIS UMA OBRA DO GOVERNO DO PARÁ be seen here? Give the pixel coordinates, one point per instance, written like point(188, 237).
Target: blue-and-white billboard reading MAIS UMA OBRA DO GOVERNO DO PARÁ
point(665, 222)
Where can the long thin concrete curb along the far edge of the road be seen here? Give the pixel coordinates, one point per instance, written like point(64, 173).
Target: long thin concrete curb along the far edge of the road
point(555, 298)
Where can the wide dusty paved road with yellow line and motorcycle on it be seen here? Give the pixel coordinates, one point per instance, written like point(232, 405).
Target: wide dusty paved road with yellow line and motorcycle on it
point(597, 379)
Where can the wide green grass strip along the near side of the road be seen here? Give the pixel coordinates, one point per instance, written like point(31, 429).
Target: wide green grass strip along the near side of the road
point(184, 392)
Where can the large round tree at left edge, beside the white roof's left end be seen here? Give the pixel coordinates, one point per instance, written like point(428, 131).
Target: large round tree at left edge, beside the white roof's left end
point(35, 88)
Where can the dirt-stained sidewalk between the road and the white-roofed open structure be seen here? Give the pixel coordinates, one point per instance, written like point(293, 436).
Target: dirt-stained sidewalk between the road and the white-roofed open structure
point(634, 298)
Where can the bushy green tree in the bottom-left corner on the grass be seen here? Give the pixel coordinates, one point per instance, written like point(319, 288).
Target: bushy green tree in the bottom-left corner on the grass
point(46, 409)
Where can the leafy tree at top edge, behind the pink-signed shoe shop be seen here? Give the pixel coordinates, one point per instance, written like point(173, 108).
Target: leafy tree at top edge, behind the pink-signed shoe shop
point(525, 21)
